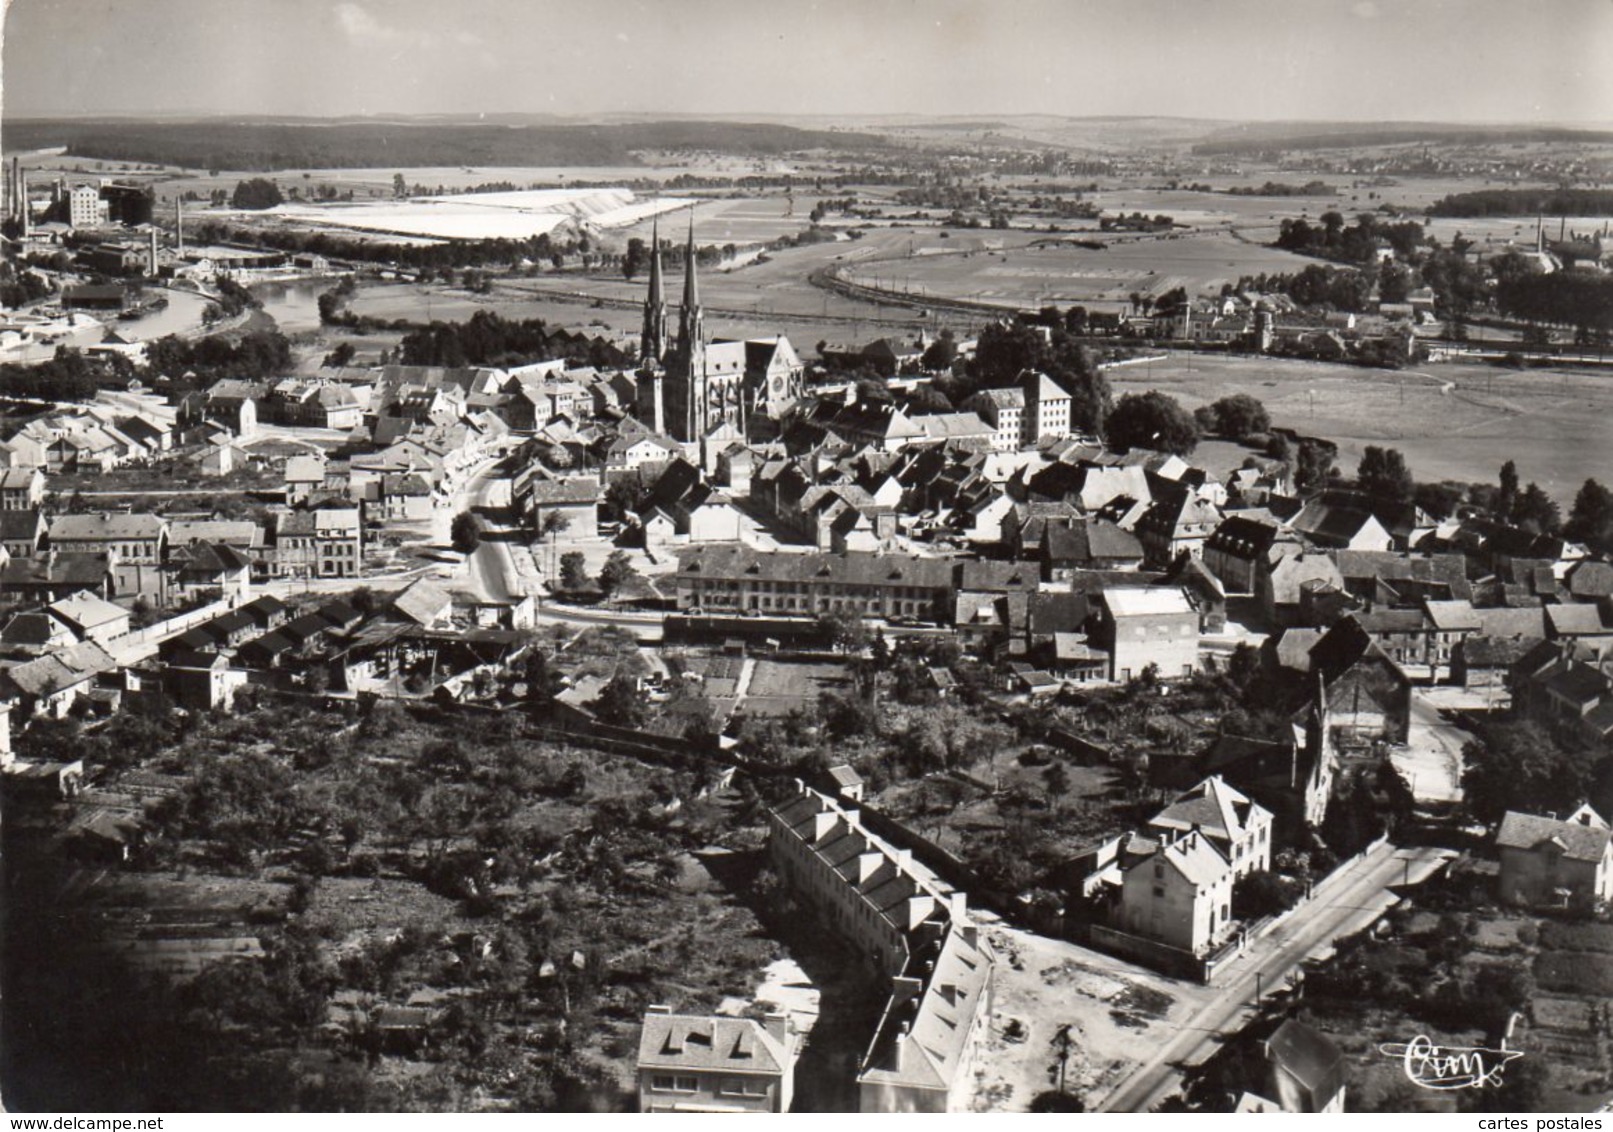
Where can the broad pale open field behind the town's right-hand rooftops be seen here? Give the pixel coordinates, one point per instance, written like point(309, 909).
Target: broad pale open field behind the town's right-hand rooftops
point(1453, 422)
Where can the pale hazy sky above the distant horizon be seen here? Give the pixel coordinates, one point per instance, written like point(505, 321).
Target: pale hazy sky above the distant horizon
point(1351, 60)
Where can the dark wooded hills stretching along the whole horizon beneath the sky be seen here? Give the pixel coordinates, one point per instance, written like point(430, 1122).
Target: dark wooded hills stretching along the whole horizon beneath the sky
point(511, 139)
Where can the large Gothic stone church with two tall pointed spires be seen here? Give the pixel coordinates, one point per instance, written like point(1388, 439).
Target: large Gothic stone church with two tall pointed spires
point(709, 393)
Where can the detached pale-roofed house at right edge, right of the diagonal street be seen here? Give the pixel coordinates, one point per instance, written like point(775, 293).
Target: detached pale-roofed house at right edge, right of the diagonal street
point(1548, 862)
